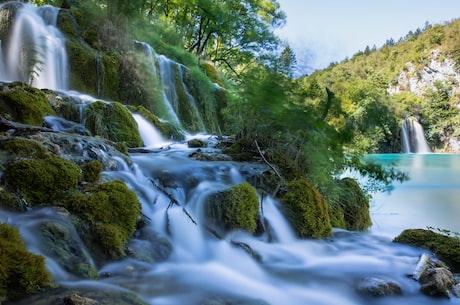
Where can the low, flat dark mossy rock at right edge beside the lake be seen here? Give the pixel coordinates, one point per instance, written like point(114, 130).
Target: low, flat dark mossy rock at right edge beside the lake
point(446, 248)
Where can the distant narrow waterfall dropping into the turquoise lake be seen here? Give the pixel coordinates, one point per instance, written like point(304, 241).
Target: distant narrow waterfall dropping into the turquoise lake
point(413, 137)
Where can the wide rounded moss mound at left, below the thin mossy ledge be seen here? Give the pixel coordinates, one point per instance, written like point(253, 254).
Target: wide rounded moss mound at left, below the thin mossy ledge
point(41, 180)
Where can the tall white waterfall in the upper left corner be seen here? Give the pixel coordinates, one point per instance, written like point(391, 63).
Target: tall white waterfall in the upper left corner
point(36, 52)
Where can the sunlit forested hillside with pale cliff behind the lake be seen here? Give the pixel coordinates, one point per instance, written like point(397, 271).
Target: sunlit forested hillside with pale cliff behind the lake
point(378, 88)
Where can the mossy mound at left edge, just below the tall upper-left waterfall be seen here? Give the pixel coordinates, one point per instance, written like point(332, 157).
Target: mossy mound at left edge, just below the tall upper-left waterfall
point(25, 104)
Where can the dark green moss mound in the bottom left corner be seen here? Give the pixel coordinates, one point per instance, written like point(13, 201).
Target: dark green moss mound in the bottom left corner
point(21, 272)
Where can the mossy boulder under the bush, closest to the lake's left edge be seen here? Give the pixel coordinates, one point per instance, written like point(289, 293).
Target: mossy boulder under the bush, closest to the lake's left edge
point(351, 211)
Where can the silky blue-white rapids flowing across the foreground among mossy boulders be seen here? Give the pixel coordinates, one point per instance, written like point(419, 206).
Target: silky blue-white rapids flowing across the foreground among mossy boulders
point(287, 270)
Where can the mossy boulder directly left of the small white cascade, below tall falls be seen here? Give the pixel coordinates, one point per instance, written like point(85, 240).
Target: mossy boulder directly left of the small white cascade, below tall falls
point(113, 121)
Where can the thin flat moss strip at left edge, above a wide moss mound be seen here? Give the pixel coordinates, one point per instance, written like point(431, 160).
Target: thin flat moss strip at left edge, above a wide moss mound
point(23, 148)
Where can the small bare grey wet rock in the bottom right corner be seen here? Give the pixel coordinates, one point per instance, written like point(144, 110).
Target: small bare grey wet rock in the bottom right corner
point(436, 281)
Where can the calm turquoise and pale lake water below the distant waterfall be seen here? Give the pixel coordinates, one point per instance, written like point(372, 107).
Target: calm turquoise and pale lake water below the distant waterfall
point(431, 197)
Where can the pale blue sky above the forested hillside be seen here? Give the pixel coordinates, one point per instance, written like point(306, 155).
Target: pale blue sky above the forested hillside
point(326, 31)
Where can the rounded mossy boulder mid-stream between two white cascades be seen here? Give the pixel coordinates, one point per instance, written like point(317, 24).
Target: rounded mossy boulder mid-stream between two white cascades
point(234, 208)
